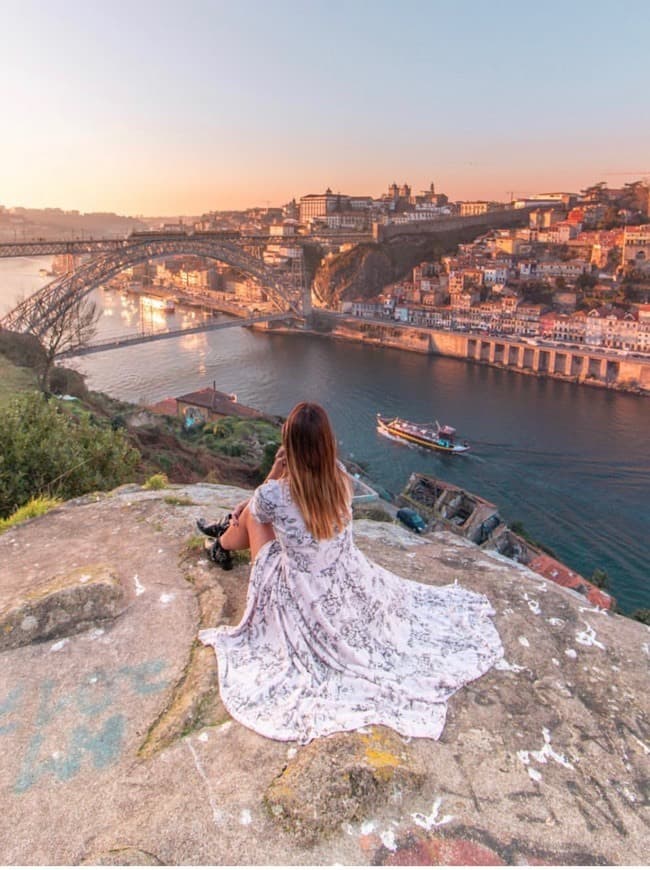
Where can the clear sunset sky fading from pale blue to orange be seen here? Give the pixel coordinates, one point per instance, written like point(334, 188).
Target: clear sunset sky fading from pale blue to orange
point(156, 107)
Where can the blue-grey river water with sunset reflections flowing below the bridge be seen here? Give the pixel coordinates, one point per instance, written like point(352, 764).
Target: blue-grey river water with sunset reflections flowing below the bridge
point(570, 462)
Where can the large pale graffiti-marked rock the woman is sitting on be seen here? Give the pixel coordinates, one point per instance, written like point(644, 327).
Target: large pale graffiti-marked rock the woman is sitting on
point(545, 759)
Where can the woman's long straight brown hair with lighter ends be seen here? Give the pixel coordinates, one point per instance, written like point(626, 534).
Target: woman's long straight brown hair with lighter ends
point(318, 485)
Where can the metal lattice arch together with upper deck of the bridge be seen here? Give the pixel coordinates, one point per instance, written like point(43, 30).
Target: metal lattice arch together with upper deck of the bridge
point(39, 312)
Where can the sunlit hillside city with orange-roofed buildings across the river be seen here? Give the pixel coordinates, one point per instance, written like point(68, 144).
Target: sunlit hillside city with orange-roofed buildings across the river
point(577, 273)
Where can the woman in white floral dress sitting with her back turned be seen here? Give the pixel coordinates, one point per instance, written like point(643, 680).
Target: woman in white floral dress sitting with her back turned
point(329, 641)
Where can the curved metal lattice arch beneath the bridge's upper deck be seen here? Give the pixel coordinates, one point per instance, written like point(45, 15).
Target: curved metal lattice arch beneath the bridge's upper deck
point(38, 312)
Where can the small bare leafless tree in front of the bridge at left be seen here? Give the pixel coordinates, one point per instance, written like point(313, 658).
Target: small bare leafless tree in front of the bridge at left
point(71, 328)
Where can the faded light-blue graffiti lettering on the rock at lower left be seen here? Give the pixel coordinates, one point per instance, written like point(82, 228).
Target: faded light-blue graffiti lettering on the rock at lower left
point(97, 739)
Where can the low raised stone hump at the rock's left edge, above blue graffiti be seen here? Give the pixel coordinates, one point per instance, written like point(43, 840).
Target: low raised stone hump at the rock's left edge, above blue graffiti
point(65, 604)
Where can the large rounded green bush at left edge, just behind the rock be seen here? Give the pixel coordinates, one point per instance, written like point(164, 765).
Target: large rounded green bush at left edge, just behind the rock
point(47, 451)
